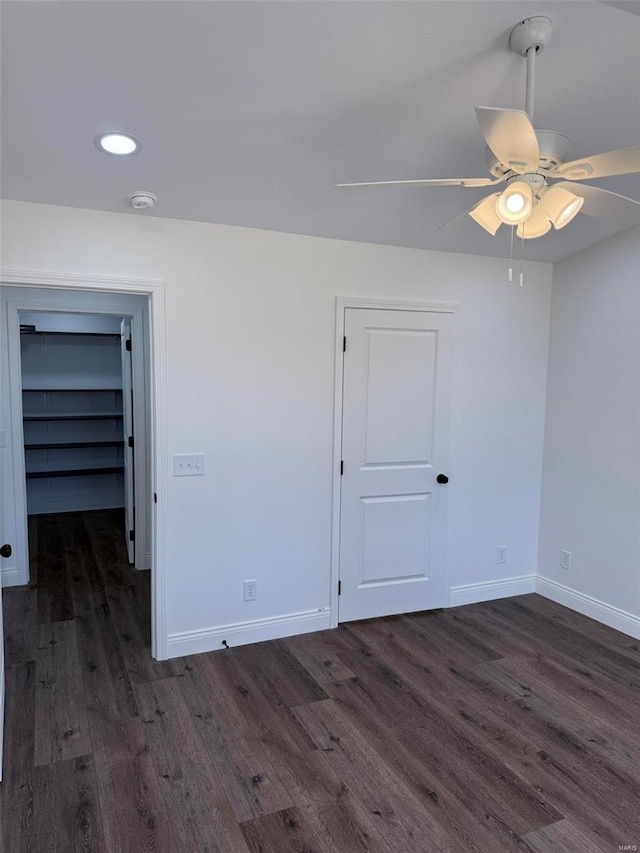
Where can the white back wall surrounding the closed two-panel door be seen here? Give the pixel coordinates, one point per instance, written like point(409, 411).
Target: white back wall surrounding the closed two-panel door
point(250, 350)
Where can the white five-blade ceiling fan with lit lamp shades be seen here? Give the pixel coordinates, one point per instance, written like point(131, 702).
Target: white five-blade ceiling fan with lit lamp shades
point(527, 160)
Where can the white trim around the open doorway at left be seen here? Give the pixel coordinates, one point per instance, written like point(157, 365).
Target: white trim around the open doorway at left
point(154, 290)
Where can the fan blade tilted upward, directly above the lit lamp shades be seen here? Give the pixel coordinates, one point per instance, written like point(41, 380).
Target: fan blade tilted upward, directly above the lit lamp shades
point(511, 137)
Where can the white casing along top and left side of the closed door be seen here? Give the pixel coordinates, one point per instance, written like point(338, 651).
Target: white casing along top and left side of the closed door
point(342, 303)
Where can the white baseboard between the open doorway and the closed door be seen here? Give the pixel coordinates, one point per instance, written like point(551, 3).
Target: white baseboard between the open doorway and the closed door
point(242, 633)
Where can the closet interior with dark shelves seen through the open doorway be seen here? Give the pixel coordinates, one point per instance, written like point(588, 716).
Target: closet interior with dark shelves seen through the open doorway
point(72, 369)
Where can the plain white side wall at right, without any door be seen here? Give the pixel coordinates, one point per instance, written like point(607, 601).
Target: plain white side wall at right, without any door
point(591, 476)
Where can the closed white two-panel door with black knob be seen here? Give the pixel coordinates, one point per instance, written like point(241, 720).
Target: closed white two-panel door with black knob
point(398, 372)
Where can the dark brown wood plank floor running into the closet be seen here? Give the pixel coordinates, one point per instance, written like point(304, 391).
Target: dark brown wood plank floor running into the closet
point(509, 725)
